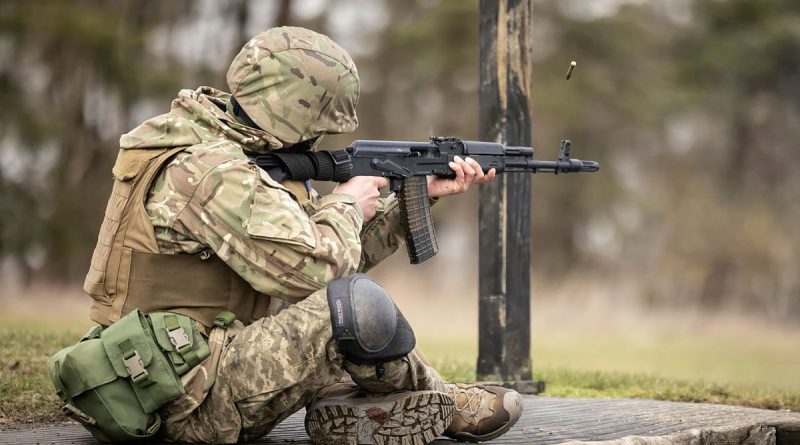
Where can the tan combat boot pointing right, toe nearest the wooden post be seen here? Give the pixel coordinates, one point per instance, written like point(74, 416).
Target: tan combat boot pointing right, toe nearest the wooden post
point(482, 412)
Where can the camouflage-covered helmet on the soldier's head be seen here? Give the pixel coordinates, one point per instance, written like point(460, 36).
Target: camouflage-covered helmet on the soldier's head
point(296, 84)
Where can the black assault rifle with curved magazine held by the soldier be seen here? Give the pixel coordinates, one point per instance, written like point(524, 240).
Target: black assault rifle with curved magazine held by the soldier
point(407, 164)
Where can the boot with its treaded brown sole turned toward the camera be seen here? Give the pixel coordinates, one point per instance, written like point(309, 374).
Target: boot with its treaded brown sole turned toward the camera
point(411, 418)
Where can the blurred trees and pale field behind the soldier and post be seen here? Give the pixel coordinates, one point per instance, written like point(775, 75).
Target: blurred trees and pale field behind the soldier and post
point(681, 257)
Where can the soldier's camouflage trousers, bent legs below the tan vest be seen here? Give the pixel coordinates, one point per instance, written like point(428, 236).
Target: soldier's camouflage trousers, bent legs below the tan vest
point(272, 368)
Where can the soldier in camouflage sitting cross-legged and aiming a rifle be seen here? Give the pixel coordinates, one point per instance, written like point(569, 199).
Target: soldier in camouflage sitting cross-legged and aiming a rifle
point(193, 227)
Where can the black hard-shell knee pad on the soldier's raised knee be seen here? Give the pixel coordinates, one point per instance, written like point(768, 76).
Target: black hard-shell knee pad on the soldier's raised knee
point(367, 325)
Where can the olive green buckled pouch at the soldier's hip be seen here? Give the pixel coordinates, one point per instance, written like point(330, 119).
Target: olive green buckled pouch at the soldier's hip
point(114, 380)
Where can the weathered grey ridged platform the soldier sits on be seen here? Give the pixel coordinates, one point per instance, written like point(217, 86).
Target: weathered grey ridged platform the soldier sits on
point(550, 421)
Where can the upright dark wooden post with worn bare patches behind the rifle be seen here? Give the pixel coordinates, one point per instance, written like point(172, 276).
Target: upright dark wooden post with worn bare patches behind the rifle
point(505, 218)
